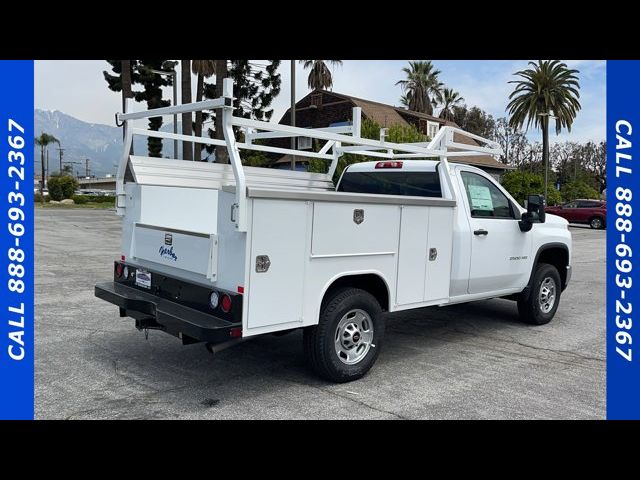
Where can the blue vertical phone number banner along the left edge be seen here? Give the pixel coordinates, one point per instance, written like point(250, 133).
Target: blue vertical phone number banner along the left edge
point(16, 240)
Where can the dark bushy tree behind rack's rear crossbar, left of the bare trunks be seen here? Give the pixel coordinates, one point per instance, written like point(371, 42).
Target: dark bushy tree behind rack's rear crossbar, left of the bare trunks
point(152, 84)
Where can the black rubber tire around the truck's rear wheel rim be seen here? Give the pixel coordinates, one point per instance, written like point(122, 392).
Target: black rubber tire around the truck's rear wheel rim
point(319, 340)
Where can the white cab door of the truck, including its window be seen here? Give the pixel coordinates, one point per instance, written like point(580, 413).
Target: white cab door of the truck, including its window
point(499, 250)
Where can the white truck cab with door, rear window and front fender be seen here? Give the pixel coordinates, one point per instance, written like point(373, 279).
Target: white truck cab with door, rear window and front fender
point(492, 254)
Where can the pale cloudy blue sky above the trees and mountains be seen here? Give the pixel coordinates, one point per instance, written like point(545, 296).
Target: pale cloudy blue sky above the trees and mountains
point(77, 88)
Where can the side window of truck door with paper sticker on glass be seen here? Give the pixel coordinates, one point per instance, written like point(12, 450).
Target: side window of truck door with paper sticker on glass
point(485, 199)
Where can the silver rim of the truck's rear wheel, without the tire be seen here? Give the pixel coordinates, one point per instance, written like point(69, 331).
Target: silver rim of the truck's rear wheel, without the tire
point(354, 336)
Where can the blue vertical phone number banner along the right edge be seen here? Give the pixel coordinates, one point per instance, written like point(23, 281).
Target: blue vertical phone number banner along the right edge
point(623, 225)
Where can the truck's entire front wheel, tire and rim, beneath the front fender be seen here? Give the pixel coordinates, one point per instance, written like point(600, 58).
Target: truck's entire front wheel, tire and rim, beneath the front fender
point(544, 298)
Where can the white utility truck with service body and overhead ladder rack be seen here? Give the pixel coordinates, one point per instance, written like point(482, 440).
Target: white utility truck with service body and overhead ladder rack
point(220, 253)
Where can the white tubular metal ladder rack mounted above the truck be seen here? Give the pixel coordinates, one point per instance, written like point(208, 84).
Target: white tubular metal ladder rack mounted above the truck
point(338, 140)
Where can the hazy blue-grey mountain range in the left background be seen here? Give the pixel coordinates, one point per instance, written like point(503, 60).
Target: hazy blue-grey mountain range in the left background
point(101, 144)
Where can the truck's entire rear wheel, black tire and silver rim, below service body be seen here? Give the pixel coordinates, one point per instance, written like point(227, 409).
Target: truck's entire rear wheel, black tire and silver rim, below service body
point(346, 342)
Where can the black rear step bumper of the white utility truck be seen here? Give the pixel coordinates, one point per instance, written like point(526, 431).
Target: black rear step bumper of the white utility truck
point(151, 311)
